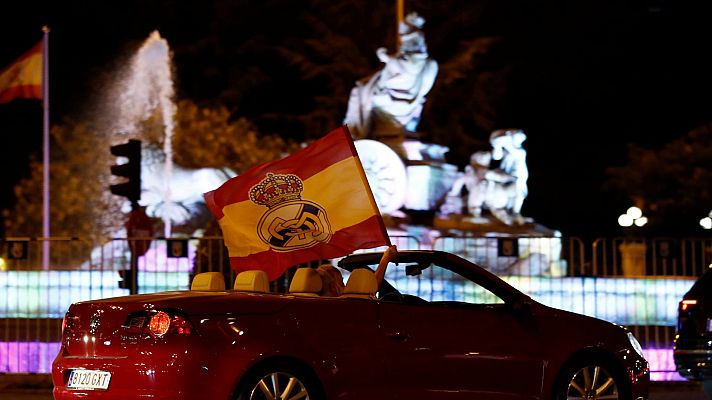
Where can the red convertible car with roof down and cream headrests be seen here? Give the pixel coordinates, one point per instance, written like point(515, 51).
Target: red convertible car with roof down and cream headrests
point(440, 328)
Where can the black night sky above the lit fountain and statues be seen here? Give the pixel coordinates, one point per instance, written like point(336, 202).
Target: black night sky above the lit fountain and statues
point(589, 77)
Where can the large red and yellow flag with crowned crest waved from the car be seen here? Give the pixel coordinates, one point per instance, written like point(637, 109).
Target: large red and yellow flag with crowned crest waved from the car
point(314, 204)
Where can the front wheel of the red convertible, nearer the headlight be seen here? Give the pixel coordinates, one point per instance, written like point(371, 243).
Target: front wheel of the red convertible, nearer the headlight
point(591, 378)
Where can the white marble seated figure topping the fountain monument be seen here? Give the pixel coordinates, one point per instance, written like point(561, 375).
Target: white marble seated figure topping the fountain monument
point(390, 102)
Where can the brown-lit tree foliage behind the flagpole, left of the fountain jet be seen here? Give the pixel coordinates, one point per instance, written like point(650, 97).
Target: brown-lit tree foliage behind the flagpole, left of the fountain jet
point(80, 203)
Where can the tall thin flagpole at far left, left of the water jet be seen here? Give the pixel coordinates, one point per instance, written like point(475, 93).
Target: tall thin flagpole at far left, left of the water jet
point(45, 129)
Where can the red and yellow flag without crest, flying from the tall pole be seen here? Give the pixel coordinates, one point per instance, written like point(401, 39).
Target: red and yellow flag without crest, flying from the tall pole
point(23, 78)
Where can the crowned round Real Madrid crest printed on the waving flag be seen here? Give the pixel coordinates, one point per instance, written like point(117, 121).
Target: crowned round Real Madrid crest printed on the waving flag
point(290, 222)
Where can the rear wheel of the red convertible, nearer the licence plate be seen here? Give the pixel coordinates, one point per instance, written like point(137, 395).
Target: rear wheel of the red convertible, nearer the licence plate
point(279, 380)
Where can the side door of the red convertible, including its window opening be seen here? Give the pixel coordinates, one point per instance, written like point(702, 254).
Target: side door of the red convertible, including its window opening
point(462, 342)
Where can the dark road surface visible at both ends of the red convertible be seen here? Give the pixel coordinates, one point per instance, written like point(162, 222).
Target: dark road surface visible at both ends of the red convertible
point(658, 391)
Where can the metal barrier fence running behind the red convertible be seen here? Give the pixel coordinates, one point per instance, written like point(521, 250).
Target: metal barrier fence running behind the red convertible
point(632, 282)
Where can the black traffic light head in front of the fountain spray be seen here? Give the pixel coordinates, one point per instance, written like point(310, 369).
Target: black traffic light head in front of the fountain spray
point(131, 188)
